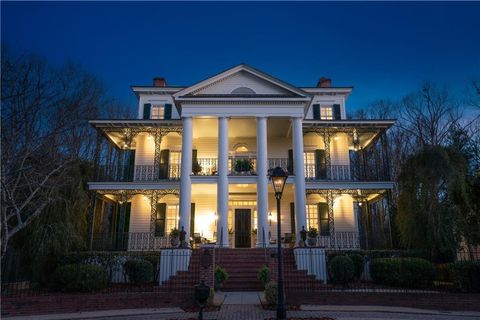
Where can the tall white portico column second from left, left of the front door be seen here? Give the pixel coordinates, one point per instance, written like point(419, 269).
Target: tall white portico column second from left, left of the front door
point(222, 185)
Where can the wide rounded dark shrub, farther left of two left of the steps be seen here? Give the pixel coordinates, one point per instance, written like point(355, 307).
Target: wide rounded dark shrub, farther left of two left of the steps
point(80, 278)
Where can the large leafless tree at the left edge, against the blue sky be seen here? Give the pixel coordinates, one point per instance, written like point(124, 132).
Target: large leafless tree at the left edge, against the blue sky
point(44, 133)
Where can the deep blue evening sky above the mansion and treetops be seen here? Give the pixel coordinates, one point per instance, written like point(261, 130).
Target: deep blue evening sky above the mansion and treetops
point(384, 50)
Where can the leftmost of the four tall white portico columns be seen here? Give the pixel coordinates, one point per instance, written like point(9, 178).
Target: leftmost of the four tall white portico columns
point(185, 180)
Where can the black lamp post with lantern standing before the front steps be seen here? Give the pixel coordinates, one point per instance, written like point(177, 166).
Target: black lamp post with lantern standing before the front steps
point(279, 178)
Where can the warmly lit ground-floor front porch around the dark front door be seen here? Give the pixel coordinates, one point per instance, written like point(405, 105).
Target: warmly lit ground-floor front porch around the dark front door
point(141, 220)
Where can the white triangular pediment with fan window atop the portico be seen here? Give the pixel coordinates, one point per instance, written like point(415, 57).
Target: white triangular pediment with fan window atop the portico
point(242, 81)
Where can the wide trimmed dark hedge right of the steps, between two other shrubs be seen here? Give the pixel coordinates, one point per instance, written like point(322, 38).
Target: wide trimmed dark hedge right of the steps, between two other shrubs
point(403, 272)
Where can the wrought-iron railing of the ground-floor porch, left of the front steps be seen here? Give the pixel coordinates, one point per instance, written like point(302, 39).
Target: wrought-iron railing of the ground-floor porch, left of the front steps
point(129, 241)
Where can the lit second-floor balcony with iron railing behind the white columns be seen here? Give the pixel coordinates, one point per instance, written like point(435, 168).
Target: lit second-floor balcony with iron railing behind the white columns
point(151, 150)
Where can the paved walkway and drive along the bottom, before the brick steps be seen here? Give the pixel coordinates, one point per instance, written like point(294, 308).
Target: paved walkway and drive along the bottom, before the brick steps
point(246, 305)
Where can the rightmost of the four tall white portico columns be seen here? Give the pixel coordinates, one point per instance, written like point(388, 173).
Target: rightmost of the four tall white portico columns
point(298, 168)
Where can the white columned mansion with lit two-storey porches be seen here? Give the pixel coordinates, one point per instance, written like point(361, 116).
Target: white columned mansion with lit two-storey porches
point(197, 158)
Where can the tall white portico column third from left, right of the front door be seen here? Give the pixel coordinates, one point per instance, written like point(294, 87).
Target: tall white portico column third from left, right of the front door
point(262, 183)
